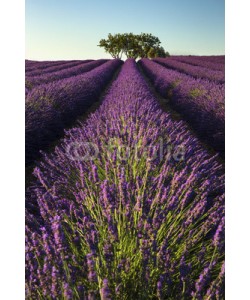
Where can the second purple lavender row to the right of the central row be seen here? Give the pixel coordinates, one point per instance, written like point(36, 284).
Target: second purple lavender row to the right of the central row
point(195, 71)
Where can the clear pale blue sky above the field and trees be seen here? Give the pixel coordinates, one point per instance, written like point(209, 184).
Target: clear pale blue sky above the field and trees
point(71, 29)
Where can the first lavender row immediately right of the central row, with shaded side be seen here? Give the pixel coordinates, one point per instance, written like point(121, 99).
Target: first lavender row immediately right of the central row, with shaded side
point(201, 103)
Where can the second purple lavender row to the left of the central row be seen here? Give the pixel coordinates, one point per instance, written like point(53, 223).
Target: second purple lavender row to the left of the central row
point(31, 82)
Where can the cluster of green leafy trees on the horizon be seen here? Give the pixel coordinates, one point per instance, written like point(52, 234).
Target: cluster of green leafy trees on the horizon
point(133, 45)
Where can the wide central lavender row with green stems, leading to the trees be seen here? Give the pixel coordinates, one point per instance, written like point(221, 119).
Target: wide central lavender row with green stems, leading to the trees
point(142, 219)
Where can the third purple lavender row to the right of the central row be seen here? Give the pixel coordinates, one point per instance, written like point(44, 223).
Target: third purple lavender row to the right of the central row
point(194, 60)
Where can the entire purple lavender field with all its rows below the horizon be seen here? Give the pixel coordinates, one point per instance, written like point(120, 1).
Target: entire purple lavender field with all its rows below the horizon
point(126, 200)
